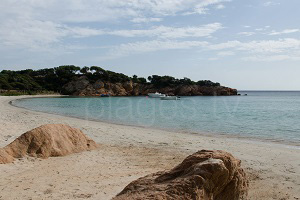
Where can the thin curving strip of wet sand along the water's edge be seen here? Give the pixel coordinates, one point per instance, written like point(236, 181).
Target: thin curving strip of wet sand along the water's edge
point(266, 141)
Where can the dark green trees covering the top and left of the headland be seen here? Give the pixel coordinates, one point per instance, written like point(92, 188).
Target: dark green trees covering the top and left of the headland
point(53, 79)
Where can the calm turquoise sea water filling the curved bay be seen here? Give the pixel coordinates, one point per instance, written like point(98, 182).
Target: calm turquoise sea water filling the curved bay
point(270, 116)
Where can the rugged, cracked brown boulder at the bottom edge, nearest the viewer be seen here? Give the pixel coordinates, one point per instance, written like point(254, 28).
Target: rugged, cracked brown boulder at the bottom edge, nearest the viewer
point(207, 175)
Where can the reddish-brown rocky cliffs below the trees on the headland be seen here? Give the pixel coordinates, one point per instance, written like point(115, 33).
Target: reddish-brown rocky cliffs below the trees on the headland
point(82, 86)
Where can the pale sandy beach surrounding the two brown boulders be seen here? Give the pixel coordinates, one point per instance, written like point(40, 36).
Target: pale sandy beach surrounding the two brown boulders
point(127, 153)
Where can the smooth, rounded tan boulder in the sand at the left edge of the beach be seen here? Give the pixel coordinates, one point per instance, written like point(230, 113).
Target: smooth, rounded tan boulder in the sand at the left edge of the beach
point(47, 141)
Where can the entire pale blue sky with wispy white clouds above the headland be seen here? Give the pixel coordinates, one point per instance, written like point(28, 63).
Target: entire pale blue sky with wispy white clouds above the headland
point(245, 44)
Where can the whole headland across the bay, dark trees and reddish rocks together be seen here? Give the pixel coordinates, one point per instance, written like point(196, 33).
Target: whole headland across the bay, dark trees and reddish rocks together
point(96, 81)
